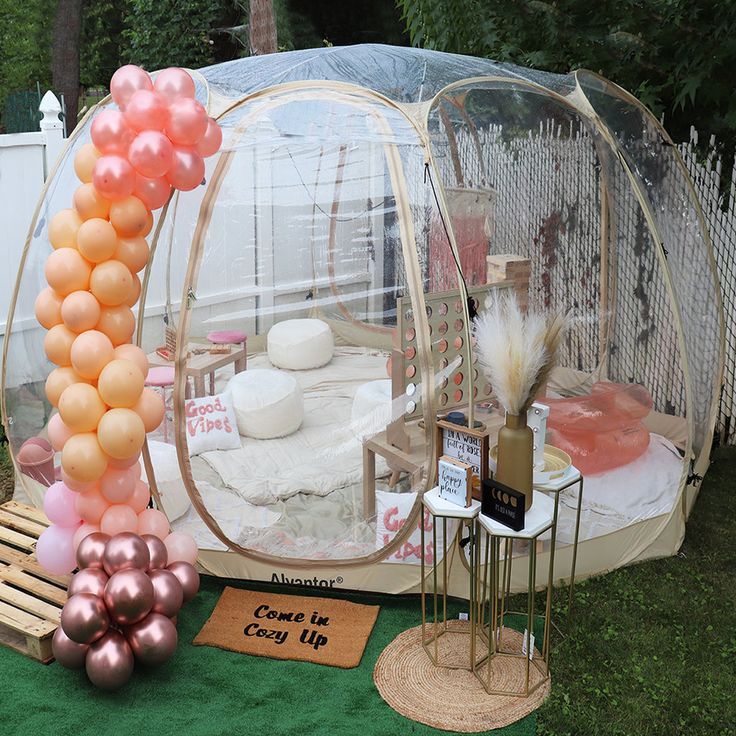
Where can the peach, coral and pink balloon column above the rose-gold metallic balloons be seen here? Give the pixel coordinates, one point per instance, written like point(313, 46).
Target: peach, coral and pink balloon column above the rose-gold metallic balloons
point(153, 142)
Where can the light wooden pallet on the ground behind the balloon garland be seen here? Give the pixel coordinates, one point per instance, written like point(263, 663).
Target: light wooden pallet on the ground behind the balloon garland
point(31, 599)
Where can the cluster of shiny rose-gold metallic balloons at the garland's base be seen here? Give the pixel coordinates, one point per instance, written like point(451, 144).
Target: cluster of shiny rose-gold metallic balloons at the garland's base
point(122, 607)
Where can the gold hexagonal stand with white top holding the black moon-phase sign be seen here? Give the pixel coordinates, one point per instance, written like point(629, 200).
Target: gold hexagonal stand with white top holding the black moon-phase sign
point(495, 591)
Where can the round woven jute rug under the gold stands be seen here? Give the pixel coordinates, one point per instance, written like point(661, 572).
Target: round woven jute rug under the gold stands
point(453, 699)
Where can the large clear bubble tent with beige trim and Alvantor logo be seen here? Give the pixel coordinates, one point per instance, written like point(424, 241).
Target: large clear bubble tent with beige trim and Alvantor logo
point(370, 190)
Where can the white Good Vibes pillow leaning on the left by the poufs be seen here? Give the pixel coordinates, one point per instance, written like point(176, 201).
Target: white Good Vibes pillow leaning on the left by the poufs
point(211, 424)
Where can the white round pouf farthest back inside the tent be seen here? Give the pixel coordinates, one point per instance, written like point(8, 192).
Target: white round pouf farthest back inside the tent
point(300, 344)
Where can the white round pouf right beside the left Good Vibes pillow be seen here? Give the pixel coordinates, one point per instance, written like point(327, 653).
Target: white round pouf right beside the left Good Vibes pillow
point(267, 403)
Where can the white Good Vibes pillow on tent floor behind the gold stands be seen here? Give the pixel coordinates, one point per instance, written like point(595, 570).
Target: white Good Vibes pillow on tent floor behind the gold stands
point(392, 511)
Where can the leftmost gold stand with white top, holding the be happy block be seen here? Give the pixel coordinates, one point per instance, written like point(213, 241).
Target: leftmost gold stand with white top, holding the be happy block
point(439, 626)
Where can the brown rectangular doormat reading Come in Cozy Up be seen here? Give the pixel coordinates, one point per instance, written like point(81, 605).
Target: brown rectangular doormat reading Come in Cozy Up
point(322, 630)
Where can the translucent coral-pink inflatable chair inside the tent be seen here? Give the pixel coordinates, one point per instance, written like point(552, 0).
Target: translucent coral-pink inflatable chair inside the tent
point(601, 431)
